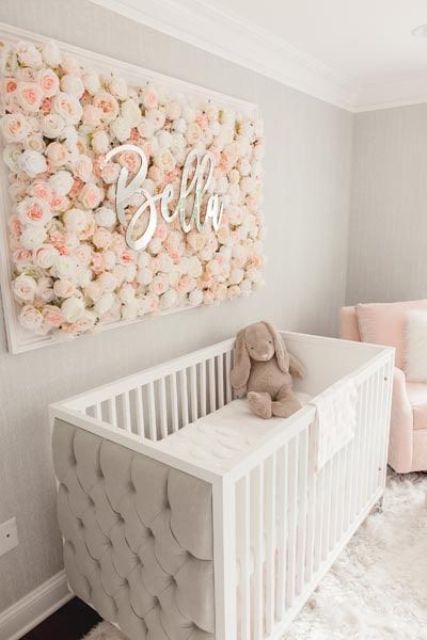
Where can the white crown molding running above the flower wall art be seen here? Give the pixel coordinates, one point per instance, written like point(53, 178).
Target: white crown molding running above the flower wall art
point(207, 27)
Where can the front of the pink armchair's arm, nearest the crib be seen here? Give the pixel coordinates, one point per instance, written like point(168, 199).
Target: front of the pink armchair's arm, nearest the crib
point(402, 425)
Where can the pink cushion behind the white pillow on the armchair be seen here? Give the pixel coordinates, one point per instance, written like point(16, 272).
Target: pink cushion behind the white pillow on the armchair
point(384, 323)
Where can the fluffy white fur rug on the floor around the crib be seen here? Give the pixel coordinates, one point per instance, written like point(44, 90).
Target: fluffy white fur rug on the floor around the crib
point(377, 589)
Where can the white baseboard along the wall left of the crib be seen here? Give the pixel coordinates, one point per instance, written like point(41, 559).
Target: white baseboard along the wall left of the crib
point(34, 607)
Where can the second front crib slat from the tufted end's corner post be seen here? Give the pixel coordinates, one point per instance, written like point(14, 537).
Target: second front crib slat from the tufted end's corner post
point(257, 511)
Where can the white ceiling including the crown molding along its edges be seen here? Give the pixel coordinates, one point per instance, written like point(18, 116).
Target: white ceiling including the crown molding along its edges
point(359, 54)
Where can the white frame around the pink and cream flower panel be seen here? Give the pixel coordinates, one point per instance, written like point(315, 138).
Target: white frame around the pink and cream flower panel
point(19, 339)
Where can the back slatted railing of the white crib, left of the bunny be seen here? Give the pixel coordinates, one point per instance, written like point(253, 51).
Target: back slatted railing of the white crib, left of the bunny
point(159, 401)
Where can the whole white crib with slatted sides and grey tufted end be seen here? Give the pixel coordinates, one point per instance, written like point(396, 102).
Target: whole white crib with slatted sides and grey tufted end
point(223, 537)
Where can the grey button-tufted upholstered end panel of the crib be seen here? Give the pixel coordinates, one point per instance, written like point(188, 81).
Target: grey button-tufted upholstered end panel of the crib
point(137, 537)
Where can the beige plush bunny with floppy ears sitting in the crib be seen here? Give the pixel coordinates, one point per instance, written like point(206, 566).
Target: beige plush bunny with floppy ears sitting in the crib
point(263, 371)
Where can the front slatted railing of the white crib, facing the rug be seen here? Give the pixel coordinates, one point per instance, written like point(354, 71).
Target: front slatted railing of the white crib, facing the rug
point(289, 522)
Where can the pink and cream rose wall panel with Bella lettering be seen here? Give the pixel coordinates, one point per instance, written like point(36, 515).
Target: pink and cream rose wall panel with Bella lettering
point(123, 198)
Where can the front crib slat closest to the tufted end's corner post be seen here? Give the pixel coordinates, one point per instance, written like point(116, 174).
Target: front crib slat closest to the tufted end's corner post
point(246, 561)
